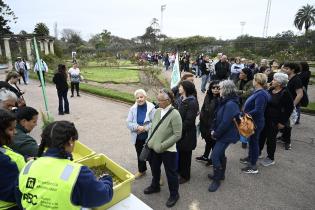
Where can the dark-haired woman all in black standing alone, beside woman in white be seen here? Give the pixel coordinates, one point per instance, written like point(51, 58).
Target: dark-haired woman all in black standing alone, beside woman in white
point(60, 79)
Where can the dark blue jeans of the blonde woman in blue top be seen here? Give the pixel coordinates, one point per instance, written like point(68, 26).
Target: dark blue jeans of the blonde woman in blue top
point(253, 150)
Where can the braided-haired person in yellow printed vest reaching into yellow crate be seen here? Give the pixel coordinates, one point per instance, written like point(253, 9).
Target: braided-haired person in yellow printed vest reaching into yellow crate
point(53, 181)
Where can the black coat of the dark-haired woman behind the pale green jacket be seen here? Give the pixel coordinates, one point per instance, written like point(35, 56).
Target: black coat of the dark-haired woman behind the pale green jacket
point(188, 110)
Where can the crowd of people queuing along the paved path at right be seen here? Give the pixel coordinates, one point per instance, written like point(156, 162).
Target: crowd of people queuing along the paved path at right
point(271, 94)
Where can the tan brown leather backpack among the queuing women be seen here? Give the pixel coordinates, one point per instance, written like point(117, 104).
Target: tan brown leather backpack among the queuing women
point(245, 125)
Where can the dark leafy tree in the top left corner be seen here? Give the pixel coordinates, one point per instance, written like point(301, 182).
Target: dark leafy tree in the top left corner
point(6, 16)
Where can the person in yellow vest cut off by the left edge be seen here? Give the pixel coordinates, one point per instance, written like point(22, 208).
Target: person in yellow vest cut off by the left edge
point(10, 162)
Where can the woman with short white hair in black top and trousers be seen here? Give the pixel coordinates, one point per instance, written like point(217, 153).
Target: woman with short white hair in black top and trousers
point(277, 115)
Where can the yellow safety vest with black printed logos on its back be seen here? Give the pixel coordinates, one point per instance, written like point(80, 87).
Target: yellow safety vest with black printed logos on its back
point(47, 183)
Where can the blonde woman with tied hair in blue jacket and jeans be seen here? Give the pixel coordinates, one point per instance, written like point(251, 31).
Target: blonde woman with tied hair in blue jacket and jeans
point(255, 106)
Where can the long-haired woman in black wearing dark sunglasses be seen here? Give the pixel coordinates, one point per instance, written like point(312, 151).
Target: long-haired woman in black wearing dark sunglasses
point(206, 118)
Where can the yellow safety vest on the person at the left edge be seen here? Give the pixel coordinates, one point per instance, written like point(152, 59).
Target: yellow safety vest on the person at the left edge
point(20, 162)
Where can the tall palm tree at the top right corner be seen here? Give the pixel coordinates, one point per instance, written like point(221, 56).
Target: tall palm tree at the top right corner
point(305, 16)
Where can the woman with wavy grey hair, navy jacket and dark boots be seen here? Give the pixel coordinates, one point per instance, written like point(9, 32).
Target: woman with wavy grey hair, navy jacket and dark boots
point(224, 131)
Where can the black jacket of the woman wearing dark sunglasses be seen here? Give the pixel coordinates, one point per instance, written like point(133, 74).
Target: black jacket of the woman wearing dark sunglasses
point(207, 114)
